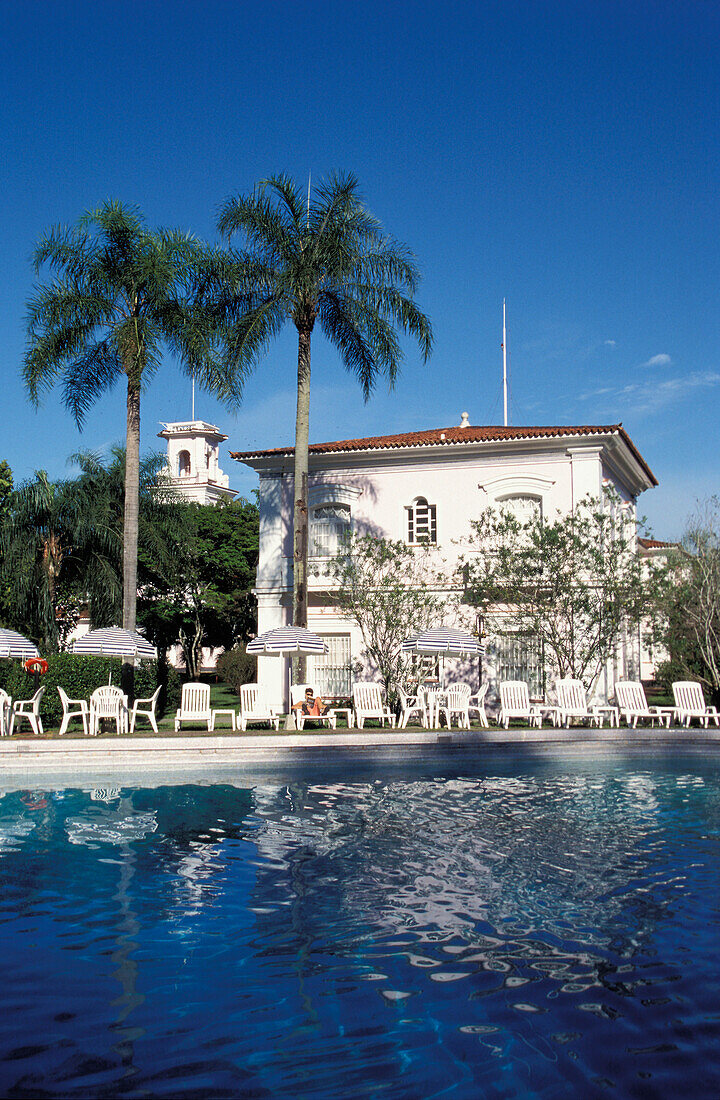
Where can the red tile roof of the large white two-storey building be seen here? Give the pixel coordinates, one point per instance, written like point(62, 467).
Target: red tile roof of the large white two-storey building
point(445, 437)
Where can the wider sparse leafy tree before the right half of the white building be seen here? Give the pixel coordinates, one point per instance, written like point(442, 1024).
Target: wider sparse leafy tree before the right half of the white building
point(575, 582)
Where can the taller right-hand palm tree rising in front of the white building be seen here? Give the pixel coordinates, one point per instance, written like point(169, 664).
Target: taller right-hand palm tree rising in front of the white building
point(323, 259)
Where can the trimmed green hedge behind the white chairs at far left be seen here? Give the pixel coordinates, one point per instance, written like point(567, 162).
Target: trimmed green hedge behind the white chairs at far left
point(81, 676)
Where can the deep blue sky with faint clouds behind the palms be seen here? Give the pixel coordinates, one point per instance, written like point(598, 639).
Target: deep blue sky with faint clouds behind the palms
point(563, 156)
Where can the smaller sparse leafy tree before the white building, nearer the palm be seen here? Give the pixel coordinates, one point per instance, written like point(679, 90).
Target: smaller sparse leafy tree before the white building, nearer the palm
point(391, 591)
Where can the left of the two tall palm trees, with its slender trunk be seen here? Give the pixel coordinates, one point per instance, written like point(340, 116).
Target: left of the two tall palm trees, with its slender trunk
point(119, 294)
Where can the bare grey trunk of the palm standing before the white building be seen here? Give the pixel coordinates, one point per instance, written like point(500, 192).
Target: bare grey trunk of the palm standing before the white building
point(301, 489)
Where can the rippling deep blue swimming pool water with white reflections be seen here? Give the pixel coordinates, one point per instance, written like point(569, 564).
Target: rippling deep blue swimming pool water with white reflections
point(449, 931)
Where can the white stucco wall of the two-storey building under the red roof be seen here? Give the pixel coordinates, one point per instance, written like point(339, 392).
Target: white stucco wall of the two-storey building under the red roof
point(461, 481)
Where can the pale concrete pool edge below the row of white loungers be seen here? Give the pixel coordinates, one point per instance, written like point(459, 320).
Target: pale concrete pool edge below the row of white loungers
point(162, 754)
